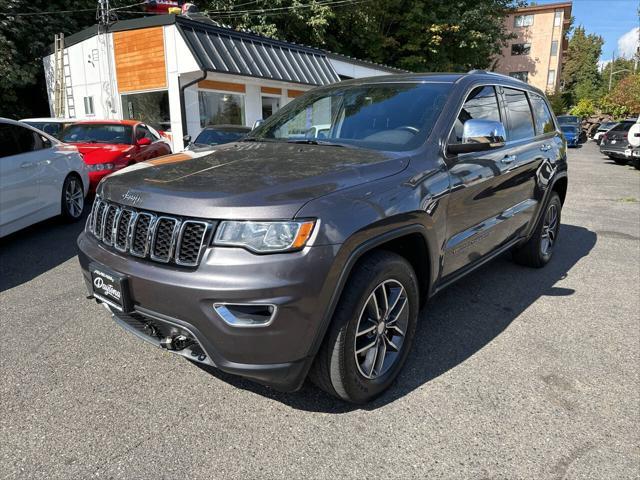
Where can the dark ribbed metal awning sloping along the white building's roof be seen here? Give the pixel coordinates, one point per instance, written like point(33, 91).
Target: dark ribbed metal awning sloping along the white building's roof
point(218, 49)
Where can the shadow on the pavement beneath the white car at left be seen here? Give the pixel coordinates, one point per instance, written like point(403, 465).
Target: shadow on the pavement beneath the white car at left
point(30, 252)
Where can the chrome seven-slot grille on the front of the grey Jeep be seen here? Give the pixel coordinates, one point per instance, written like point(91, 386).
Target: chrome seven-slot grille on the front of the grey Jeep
point(161, 238)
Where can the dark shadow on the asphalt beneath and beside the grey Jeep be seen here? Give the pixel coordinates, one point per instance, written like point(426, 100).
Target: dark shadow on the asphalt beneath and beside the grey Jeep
point(456, 323)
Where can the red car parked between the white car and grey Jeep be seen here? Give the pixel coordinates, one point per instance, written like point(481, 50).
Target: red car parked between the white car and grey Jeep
point(109, 145)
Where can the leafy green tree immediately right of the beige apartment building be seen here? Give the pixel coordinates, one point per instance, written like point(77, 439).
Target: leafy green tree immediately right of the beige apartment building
point(580, 75)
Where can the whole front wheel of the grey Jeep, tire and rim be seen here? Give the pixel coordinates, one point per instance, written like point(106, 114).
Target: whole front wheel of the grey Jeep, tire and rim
point(372, 330)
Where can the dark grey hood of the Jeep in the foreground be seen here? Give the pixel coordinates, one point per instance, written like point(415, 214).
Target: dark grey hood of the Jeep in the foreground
point(250, 180)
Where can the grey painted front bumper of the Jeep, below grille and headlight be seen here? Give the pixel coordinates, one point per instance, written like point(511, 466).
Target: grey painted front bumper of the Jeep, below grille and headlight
point(300, 284)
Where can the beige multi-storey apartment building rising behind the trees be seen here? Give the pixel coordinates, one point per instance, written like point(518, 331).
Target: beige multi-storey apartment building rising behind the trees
point(537, 53)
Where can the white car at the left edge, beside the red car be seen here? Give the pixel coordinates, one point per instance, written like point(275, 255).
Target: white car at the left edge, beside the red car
point(39, 177)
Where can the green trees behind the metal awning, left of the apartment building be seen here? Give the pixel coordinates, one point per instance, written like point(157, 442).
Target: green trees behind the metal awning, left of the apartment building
point(419, 35)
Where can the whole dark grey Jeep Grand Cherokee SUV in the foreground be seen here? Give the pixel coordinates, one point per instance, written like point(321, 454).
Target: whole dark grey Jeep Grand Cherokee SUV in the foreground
point(278, 256)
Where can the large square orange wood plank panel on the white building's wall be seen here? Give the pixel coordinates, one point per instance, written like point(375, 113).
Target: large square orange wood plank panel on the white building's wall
point(140, 62)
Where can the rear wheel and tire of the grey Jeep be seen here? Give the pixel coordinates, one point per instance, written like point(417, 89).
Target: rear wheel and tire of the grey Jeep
point(538, 250)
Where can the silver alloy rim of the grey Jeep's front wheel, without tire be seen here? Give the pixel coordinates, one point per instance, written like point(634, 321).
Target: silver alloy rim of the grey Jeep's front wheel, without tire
point(381, 329)
